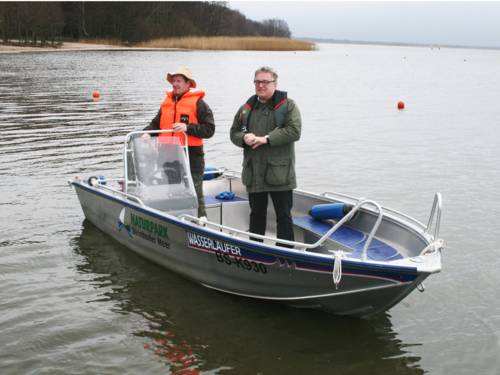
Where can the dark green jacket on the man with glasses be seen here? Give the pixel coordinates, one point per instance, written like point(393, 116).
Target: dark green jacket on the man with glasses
point(270, 167)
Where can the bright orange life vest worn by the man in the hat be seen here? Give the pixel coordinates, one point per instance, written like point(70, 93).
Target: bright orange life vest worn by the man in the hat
point(183, 110)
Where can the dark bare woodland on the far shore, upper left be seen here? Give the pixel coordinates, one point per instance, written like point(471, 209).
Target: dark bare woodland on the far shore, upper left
point(127, 21)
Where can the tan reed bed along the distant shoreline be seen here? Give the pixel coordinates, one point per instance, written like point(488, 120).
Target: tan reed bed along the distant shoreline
point(230, 43)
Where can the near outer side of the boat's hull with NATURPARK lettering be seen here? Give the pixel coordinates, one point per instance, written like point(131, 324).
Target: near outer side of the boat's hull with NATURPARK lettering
point(235, 265)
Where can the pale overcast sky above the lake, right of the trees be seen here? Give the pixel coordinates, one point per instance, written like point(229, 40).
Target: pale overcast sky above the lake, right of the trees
point(424, 22)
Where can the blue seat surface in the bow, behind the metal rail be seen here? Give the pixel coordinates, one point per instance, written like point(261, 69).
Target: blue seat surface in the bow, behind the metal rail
point(350, 238)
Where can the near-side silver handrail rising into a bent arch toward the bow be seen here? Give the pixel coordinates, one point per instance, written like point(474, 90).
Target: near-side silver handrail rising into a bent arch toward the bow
point(301, 245)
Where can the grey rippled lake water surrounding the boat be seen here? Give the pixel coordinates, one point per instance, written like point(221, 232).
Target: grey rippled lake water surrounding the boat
point(73, 301)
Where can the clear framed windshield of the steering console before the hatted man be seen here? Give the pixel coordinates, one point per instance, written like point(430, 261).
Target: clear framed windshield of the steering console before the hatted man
point(158, 172)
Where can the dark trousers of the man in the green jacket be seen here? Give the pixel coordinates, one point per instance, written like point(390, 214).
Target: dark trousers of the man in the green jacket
point(283, 202)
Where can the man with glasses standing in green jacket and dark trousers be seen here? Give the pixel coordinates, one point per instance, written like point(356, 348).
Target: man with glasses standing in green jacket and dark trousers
point(266, 127)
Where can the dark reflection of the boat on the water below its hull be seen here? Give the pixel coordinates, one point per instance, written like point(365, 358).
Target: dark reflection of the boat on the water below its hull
point(195, 330)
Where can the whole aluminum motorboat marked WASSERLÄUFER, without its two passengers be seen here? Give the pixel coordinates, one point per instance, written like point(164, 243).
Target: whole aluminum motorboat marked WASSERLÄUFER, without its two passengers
point(351, 256)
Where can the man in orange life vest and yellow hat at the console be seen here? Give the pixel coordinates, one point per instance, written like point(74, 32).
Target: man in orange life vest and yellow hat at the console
point(184, 110)
